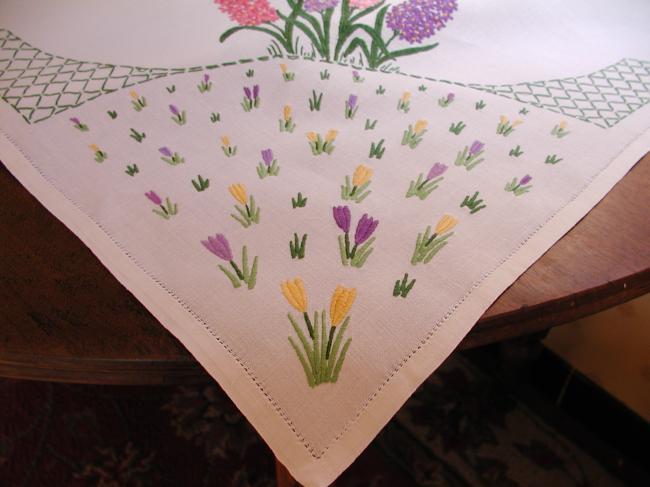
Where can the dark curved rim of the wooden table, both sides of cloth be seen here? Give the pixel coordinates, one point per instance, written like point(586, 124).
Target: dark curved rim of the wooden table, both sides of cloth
point(165, 372)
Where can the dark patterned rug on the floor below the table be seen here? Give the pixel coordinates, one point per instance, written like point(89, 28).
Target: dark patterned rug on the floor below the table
point(460, 429)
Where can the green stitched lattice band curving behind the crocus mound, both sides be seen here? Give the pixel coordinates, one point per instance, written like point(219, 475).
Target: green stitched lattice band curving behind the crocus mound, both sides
point(39, 85)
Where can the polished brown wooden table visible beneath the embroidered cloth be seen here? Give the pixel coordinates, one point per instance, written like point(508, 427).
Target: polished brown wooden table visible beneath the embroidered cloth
point(65, 317)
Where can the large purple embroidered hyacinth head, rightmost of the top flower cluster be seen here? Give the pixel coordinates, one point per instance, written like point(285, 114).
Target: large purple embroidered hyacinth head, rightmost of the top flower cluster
point(416, 20)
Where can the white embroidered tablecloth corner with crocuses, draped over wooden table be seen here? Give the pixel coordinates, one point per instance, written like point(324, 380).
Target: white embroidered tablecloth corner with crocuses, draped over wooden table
point(319, 199)
